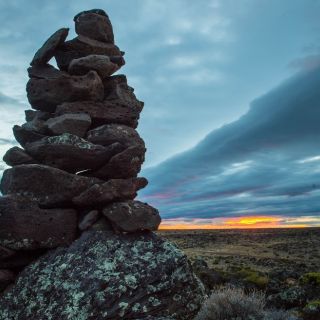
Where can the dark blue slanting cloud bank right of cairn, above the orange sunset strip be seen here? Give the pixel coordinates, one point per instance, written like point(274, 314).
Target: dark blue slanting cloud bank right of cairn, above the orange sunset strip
point(267, 162)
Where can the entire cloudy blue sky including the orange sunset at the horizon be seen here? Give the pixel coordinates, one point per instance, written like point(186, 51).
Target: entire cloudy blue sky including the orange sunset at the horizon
point(231, 104)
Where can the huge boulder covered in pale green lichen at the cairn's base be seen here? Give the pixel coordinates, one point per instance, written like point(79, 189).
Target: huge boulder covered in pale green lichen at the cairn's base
point(105, 276)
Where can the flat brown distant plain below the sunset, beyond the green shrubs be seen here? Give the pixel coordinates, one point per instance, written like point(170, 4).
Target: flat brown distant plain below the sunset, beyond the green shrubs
point(263, 250)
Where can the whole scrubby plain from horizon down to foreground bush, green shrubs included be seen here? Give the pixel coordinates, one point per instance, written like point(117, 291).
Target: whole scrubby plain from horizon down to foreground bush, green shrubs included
point(284, 263)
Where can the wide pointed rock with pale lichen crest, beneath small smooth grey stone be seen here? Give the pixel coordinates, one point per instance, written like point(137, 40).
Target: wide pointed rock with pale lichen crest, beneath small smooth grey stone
point(71, 153)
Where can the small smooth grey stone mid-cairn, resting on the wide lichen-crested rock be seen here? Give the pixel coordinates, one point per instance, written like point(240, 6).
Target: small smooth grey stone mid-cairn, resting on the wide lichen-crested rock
point(73, 123)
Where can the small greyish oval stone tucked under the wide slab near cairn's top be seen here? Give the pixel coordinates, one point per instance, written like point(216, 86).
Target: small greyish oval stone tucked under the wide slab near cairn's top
point(99, 63)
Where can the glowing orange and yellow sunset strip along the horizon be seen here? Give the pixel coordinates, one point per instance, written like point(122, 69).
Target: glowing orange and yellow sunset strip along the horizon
point(250, 222)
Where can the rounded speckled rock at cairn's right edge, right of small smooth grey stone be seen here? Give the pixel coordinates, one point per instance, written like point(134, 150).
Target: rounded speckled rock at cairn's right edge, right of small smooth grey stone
point(111, 133)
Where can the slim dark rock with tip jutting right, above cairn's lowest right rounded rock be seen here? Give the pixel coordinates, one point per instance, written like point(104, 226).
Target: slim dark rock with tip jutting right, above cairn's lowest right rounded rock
point(112, 190)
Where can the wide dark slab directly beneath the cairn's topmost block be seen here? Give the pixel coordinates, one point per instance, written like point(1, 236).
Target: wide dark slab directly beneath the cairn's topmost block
point(83, 46)
